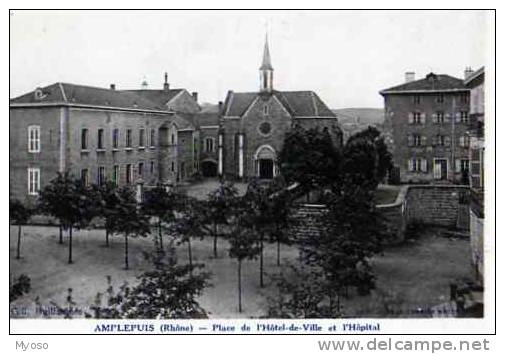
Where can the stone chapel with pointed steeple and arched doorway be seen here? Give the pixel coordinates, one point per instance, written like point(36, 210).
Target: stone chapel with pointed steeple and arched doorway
point(253, 125)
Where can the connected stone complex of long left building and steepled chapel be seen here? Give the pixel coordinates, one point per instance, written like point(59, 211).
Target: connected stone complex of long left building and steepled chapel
point(146, 136)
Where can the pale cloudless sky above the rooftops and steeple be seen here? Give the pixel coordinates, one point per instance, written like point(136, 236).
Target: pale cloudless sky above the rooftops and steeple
point(346, 57)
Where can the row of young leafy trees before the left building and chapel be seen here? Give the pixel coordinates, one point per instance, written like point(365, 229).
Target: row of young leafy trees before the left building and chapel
point(244, 221)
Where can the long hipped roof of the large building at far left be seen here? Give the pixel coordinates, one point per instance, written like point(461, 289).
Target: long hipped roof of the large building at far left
point(88, 95)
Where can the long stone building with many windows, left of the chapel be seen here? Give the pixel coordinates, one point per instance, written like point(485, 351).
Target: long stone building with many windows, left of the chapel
point(101, 134)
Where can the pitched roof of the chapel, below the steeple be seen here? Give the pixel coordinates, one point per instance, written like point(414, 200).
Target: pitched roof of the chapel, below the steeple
point(297, 103)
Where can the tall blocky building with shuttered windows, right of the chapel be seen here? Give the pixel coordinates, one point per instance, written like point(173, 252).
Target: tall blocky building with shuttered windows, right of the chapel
point(426, 122)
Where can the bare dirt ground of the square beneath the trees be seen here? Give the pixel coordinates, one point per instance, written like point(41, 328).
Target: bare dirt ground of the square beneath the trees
point(412, 276)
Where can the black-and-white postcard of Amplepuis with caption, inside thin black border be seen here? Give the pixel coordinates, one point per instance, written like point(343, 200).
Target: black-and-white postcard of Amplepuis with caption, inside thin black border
point(212, 168)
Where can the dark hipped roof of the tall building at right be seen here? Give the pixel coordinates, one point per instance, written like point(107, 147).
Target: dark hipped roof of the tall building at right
point(432, 82)
